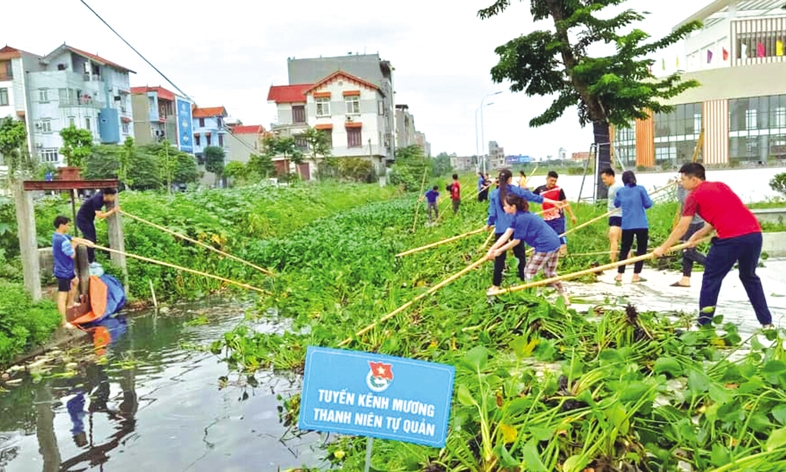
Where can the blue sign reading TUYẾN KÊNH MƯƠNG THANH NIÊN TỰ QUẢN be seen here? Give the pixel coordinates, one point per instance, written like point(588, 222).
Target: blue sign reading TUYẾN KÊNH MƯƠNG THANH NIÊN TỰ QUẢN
point(385, 397)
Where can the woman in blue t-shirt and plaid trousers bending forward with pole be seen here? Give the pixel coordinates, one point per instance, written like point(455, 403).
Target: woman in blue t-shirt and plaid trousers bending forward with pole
point(531, 229)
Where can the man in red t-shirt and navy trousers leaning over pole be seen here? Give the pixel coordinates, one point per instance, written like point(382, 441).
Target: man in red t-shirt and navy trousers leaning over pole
point(738, 241)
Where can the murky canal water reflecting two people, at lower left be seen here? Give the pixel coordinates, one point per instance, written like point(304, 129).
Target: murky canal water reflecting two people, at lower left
point(154, 404)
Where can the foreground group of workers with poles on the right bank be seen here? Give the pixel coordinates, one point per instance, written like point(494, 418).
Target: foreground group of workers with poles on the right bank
point(706, 207)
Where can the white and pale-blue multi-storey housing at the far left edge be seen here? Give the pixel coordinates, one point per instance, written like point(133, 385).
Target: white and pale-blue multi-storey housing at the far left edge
point(66, 87)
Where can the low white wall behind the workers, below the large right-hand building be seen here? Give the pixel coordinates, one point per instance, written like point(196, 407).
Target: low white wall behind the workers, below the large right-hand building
point(751, 184)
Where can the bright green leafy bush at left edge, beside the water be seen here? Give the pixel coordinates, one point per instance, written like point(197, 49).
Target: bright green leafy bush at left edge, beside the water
point(23, 324)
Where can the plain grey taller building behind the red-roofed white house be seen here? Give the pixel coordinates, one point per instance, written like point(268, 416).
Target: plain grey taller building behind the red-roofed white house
point(368, 67)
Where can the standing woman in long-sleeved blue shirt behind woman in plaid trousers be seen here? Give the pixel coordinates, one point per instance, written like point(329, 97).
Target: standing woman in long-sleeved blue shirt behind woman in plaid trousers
point(500, 221)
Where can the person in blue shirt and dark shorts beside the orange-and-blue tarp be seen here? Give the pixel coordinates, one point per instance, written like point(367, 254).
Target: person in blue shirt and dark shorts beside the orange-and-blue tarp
point(64, 252)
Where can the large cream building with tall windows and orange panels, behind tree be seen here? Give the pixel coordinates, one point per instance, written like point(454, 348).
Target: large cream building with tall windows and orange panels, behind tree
point(738, 58)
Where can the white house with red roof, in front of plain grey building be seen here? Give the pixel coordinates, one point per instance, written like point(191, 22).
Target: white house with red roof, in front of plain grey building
point(349, 109)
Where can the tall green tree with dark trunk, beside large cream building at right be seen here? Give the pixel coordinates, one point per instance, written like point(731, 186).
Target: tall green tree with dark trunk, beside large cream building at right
point(613, 89)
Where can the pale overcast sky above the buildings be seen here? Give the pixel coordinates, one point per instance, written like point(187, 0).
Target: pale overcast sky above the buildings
point(230, 54)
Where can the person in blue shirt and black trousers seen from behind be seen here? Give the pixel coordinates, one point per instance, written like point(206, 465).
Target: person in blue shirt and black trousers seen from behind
point(634, 201)
